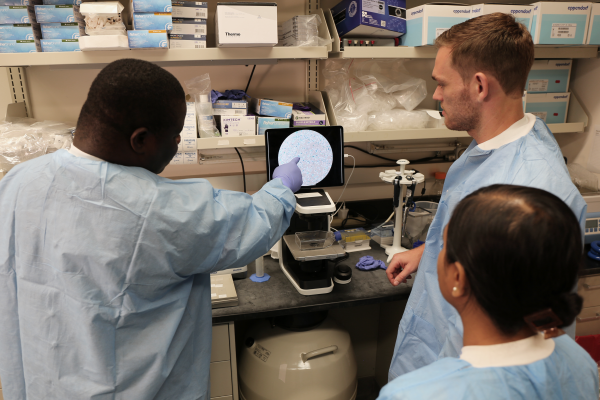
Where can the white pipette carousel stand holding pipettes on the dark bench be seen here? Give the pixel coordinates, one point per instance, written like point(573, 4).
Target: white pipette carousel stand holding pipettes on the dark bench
point(405, 182)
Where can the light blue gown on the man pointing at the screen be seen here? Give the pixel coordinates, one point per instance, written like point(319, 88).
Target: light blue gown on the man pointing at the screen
point(104, 276)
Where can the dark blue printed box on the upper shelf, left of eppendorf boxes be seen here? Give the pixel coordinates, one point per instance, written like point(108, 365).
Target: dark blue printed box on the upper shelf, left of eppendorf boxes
point(371, 18)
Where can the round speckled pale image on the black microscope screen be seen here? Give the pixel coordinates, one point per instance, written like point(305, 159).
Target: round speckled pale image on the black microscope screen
point(316, 156)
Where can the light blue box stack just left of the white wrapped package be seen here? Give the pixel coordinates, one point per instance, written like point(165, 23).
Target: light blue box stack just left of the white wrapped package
point(60, 25)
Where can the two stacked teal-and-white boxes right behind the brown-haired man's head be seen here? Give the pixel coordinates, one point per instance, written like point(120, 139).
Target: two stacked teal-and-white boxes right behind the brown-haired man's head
point(547, 90)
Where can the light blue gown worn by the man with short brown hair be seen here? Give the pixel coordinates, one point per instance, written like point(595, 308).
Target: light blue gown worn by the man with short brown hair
point(430, 327)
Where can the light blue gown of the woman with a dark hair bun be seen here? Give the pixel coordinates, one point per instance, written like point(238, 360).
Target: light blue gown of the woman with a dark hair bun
point(569, 373)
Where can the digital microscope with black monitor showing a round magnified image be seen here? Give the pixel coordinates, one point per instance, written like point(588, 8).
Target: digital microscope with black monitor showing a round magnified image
point(320, 150)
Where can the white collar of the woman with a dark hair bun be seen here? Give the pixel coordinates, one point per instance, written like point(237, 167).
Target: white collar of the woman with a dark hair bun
point(520, 352)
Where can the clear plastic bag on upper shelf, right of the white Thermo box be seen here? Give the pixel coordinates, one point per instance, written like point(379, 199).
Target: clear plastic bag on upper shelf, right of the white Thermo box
point(301, 30)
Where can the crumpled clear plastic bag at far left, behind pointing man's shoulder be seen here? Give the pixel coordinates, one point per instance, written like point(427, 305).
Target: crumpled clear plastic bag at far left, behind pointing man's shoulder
point(25, 139)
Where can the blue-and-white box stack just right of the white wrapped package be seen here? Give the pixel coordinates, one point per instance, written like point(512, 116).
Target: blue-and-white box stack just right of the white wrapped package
point(152, 20)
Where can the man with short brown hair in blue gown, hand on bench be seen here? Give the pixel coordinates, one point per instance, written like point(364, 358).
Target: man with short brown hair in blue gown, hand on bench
point(481, 69)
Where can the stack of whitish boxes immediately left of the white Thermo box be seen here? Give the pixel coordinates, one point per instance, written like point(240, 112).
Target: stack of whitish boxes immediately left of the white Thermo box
point(189, 25)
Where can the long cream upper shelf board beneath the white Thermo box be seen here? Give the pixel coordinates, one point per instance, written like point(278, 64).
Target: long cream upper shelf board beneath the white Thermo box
point(174, 57)
